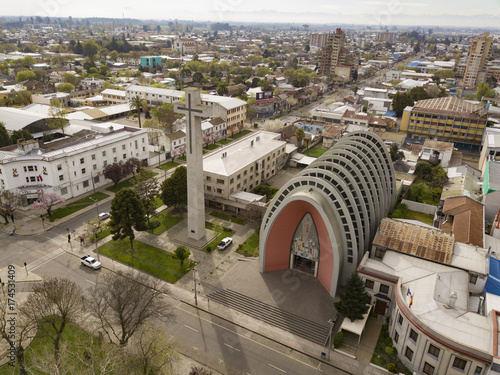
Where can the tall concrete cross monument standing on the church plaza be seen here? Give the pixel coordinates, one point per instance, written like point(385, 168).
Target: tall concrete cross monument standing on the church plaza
point(194, 111)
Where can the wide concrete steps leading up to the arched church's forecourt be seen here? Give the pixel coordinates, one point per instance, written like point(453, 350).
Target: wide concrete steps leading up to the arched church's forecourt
point(285, 320)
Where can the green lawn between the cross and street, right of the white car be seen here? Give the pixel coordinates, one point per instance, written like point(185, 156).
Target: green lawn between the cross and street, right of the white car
point(156, 262)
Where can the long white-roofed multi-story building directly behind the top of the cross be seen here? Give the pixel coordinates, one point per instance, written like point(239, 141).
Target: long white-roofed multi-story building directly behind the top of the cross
point(231, 110)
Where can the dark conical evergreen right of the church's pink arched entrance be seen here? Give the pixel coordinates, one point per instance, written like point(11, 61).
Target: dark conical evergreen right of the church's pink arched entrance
point(353, 298)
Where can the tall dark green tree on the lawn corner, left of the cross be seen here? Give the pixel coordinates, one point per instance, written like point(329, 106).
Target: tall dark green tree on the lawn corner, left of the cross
point(127, 214)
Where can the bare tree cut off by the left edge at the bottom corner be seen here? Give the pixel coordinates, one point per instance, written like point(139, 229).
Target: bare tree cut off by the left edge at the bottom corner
point(16, 330)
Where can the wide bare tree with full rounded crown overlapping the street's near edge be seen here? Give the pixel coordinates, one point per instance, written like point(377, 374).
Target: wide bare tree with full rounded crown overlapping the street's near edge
point(127, 301)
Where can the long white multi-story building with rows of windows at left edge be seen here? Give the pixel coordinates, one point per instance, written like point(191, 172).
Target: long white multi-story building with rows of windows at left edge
point(70, 170)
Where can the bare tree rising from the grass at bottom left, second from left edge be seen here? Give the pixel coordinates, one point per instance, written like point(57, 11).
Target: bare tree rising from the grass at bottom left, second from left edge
point(51, 305)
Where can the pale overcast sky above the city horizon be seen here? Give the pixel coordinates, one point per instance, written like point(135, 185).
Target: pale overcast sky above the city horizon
point(387, 13)
